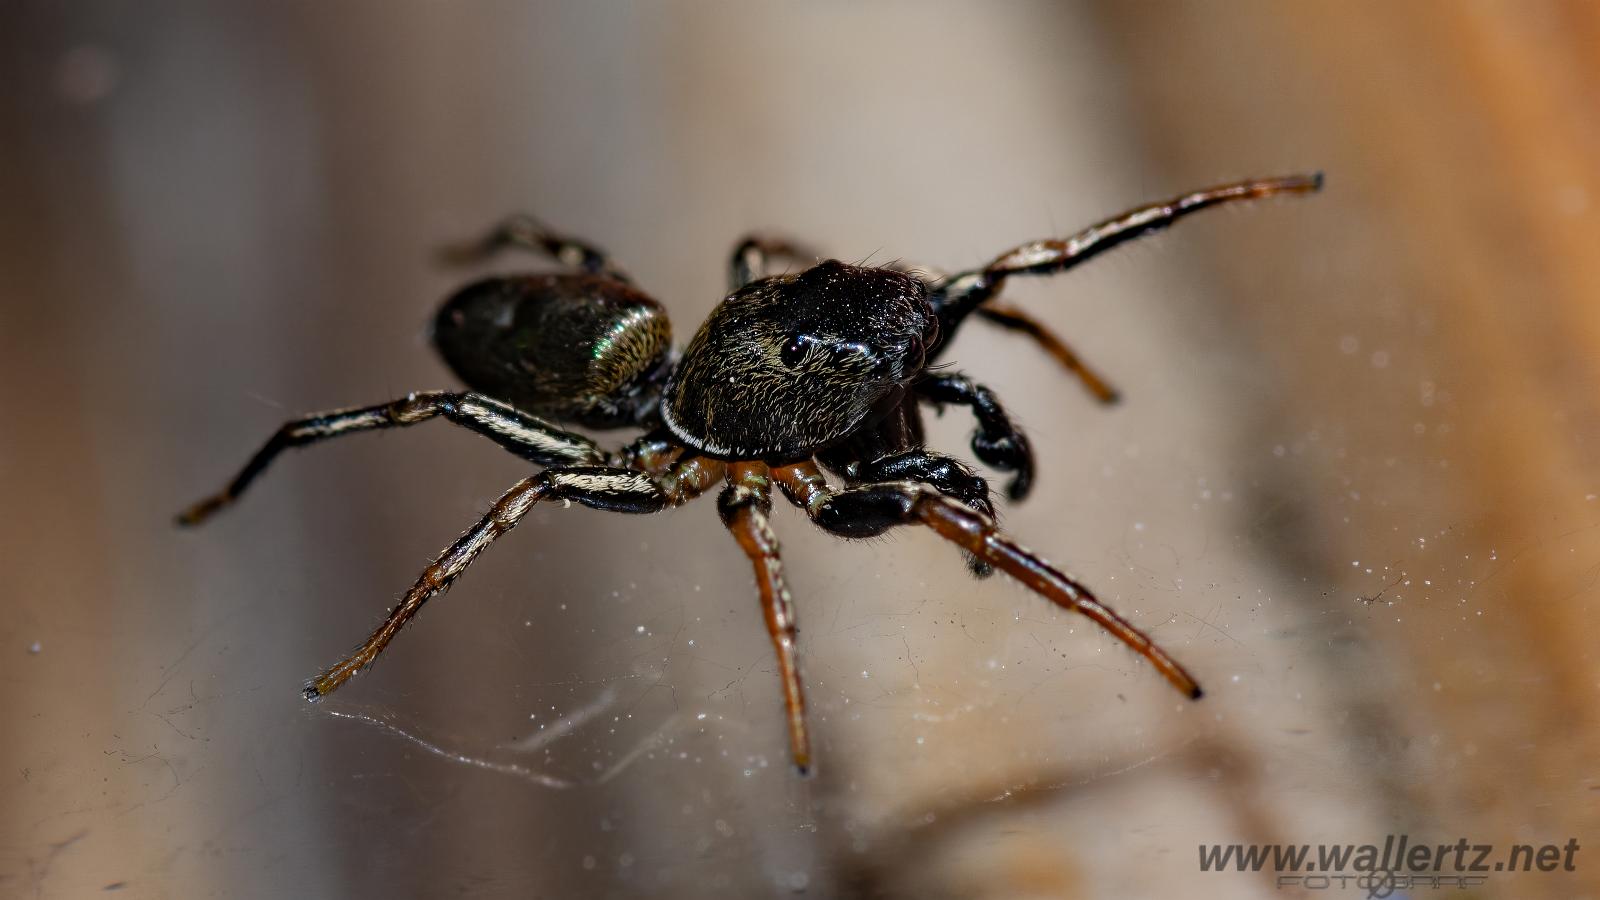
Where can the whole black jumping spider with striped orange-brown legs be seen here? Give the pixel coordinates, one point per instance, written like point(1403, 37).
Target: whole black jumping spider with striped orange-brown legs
point(790, 377)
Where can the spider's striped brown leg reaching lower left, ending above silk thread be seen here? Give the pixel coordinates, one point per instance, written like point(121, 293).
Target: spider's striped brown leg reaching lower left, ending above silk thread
point(601, 488)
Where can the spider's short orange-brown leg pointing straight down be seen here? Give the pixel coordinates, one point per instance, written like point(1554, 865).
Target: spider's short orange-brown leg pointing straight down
point(745, 507)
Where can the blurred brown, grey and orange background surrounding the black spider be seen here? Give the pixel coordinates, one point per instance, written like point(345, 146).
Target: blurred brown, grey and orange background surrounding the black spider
point(1353, 483)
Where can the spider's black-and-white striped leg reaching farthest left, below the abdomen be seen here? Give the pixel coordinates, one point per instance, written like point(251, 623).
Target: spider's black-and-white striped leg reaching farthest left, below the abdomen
point(514, 430)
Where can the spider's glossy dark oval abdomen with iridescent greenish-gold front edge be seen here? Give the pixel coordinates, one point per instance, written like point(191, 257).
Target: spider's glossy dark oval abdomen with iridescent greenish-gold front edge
point(567, 347)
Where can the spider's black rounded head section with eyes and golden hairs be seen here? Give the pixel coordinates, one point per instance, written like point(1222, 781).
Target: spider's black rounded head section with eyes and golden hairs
point(793, 364)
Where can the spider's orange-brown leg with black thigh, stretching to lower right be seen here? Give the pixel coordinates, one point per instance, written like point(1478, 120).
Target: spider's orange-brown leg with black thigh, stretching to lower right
point(871, 510)
